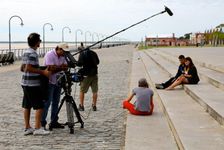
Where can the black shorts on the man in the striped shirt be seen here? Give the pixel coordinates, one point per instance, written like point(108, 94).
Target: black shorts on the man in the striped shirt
point(32, 97)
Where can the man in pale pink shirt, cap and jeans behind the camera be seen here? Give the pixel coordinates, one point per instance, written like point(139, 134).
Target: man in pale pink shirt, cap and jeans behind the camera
point(55, 62)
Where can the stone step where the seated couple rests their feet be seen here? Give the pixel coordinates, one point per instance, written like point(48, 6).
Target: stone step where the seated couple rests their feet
point(192, 127)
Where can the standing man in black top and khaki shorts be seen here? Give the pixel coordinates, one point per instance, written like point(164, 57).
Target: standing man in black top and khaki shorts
point(89, 60)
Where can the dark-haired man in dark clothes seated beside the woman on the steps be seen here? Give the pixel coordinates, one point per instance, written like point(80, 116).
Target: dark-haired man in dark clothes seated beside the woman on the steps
point(172, 79)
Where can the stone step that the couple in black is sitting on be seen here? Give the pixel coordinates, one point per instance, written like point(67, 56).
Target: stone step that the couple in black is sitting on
point(208, 96)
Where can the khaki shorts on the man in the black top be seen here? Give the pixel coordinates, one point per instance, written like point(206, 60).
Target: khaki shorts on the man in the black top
point(89, 81)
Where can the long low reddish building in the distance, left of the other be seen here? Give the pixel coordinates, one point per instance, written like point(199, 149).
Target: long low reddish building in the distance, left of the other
point(166, 41)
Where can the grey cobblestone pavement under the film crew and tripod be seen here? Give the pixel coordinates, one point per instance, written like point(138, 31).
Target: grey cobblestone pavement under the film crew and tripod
point(103, 129)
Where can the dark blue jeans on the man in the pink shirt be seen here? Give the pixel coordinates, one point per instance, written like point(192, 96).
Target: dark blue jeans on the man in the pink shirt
point(54, 93)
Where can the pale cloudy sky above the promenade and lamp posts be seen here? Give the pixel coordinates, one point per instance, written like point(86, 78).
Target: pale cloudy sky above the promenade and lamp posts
point(102, 18)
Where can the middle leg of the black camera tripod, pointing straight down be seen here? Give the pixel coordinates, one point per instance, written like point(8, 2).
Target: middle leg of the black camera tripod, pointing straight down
point(70, 116)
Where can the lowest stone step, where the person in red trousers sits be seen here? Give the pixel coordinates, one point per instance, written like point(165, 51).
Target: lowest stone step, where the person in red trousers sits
point(146, 132)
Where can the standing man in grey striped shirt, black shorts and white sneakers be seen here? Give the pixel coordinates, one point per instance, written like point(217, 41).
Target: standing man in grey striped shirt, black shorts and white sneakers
point(32, 97)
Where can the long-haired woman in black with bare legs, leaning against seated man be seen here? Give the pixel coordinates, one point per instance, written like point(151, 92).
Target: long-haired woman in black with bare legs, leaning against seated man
point(190, 75)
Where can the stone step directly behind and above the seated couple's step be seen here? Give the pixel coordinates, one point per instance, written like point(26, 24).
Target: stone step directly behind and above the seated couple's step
point(215, 78)
